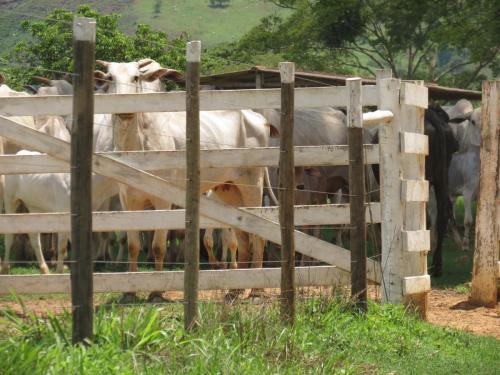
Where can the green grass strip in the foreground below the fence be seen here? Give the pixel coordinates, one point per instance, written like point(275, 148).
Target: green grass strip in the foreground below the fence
point(245, 339)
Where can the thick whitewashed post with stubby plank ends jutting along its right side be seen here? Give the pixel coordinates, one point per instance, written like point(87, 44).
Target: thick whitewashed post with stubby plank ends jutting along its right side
point(404, 192)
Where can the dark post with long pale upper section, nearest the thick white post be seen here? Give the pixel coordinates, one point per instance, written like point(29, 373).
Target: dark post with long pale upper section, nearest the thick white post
point(359, 282)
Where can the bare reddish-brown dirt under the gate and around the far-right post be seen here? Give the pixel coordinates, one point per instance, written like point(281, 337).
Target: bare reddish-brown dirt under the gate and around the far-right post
point(446, 308)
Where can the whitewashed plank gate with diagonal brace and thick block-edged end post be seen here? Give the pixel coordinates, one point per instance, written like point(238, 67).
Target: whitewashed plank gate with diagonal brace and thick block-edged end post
point(398, 106)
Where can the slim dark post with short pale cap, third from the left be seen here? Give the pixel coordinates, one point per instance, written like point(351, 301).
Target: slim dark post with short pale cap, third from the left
point(286, 192)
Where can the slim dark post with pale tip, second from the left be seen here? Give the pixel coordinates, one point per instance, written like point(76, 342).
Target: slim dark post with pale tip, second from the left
point(192, 241)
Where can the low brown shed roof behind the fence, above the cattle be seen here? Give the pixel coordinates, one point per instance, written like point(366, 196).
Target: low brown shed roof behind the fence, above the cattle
point(271, 78)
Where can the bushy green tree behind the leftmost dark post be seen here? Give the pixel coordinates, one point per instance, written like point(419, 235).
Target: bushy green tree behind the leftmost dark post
point(49, 50)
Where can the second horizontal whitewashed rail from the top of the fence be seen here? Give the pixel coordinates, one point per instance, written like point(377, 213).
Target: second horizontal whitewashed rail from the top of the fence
point(327, 155)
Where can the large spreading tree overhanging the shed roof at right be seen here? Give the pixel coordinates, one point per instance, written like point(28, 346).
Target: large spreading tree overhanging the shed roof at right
point(438, 40)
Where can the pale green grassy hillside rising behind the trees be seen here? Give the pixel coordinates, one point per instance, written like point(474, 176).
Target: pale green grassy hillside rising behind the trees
point(212, 25)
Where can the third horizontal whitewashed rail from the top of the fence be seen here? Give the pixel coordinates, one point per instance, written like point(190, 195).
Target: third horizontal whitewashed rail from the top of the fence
point(328, 214)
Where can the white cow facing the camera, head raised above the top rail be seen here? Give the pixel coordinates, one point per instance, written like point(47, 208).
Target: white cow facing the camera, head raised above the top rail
point(166, 131)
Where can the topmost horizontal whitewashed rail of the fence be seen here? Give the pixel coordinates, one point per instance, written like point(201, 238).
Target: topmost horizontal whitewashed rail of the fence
point(334, 96)
